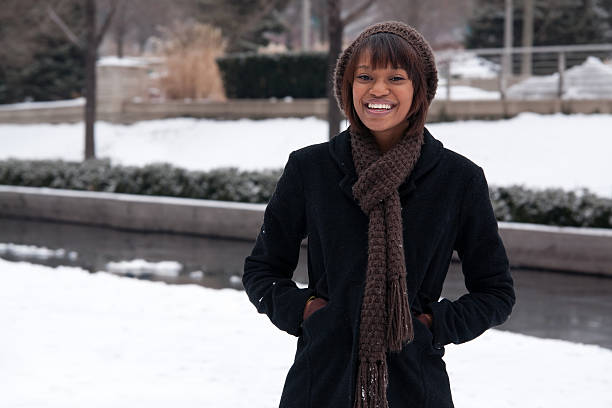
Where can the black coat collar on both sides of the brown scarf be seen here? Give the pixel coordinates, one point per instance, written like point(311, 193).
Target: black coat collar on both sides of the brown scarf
point(340, 150)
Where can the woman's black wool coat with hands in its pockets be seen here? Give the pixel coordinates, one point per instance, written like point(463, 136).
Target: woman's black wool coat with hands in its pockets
point(445, 207)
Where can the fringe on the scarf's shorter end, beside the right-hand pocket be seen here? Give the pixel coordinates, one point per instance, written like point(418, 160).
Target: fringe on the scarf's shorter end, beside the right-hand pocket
point(399, 329)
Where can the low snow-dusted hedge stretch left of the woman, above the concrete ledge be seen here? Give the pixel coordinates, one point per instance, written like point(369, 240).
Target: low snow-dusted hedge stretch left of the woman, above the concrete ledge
point(227, 184)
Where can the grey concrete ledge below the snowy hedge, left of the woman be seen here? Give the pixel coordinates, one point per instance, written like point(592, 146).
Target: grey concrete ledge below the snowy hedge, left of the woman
point(134, 212)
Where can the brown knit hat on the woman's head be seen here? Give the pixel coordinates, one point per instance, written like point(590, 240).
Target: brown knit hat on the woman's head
point(400, 29)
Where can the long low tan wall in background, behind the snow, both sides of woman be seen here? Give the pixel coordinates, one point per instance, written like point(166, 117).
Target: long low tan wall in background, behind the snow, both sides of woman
point(440, 110)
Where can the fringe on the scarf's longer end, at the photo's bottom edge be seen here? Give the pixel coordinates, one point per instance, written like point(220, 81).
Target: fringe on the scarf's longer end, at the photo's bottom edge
point(371, 389)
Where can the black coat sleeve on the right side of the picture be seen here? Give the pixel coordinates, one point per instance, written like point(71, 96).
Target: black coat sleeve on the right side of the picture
point(490, 296)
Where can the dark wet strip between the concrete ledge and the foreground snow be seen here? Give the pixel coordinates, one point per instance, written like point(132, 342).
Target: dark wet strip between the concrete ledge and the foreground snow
point(571, 307)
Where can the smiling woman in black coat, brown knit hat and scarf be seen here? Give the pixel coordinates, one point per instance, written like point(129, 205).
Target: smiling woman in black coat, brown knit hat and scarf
point(383, 205)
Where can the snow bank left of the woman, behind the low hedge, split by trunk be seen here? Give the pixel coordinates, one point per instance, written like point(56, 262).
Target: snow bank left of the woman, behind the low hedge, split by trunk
point(189, 143)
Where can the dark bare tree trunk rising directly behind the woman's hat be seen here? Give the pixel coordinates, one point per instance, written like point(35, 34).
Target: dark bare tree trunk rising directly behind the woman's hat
point(335, 26)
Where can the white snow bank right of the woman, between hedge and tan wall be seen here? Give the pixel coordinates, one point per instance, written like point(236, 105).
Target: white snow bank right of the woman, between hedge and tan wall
point(567, 151)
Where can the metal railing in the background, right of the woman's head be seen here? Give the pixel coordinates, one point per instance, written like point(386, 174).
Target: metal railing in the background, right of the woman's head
point(543, 72)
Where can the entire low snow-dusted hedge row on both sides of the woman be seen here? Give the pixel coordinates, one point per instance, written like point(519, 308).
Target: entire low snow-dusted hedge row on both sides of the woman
point(515, 203)
